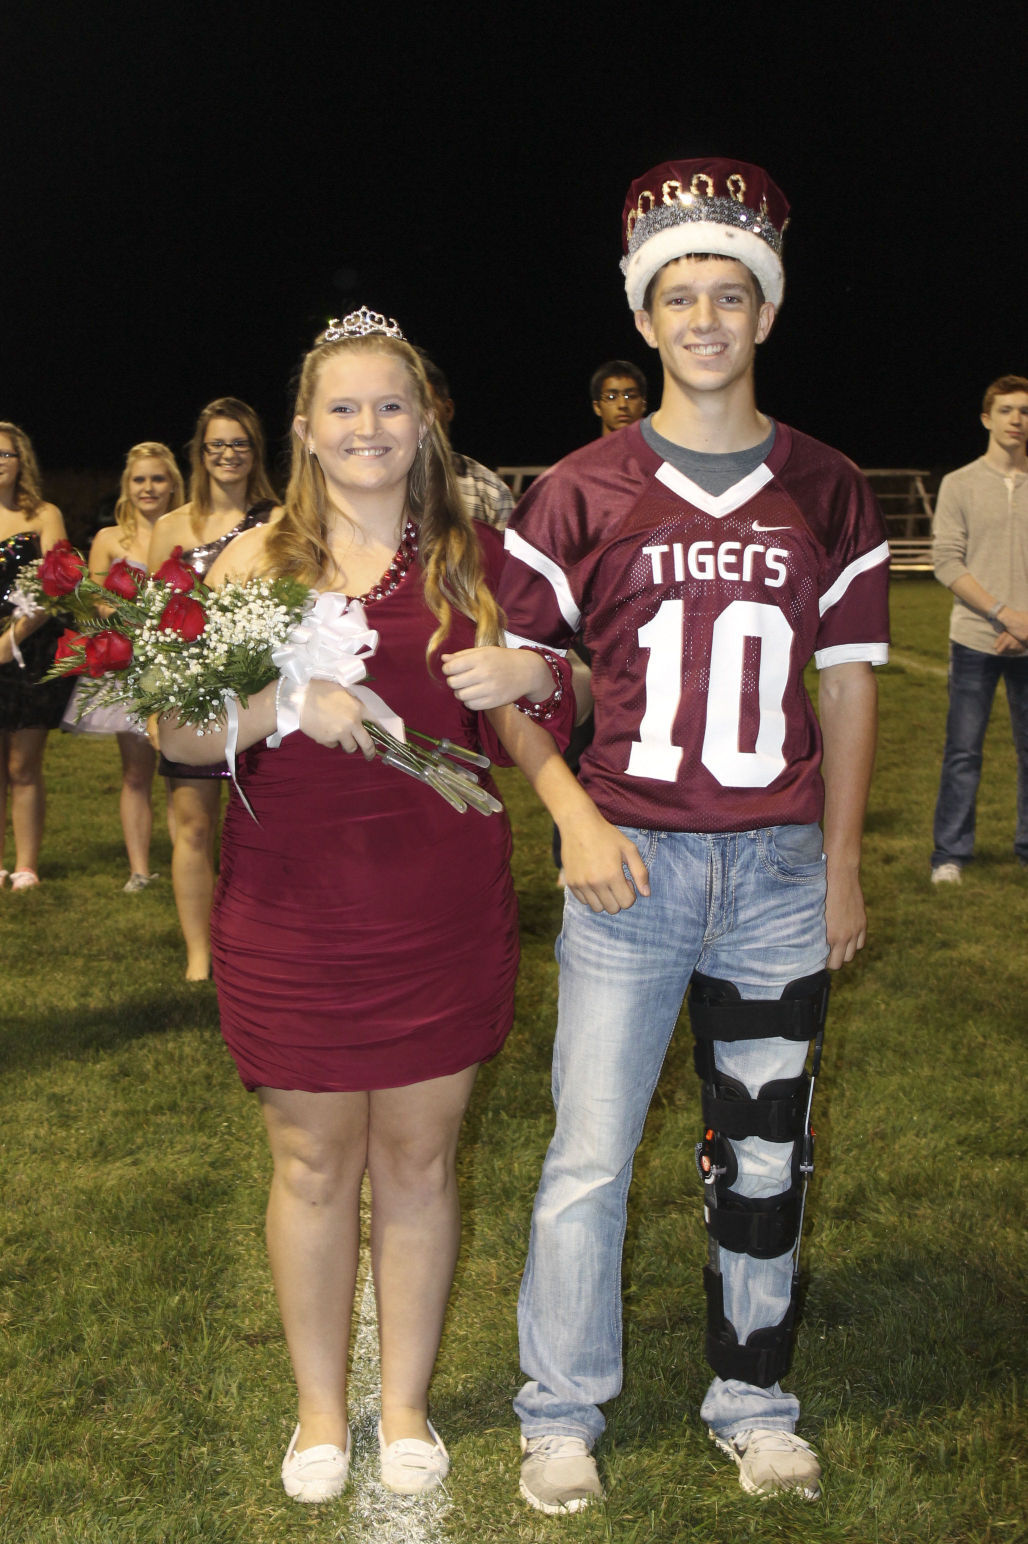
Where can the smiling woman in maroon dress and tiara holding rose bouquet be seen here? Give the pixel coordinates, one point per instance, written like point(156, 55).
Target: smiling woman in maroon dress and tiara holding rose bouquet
point(365, 935)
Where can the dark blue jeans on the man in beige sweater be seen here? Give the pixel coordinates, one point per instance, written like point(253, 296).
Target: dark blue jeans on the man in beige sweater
point(973, 682)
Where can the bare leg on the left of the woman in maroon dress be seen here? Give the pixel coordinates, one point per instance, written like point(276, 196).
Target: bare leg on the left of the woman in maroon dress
point(320, 1148)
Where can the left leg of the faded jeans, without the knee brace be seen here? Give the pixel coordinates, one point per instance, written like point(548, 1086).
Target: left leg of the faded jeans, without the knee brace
point(623, 983)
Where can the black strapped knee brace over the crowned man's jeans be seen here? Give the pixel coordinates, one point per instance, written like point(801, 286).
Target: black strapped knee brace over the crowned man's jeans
point(769, 1227)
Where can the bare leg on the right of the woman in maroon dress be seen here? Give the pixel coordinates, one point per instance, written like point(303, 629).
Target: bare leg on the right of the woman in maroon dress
point(416, 1233)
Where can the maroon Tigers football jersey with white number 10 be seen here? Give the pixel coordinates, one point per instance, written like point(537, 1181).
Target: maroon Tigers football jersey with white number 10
point(702, 614)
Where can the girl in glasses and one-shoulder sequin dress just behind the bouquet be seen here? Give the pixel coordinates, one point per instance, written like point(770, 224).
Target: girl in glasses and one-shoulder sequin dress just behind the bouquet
point(229, 493)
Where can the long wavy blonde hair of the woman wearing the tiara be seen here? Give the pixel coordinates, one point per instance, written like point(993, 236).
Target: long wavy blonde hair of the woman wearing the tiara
point(448, 549)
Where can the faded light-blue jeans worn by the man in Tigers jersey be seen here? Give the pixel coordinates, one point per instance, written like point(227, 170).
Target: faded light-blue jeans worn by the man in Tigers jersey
point(746, 907)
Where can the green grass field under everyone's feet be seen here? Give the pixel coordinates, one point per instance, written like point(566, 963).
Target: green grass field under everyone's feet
point(146, 1389)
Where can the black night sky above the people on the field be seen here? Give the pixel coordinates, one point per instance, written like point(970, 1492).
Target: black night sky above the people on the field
point(189, 194)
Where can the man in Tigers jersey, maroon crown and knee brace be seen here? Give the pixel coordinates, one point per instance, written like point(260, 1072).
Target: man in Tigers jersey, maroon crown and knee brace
point(705, 557)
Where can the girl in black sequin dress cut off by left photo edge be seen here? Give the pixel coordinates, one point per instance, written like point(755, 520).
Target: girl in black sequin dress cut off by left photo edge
point(29, 706)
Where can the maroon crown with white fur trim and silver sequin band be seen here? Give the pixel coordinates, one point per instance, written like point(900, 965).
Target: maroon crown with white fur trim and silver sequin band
point(728, 208)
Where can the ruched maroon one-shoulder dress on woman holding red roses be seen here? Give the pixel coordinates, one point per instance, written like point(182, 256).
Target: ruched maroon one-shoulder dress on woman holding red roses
point(365, 935)
